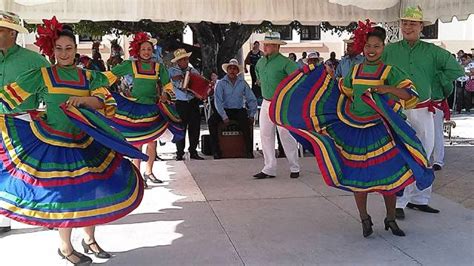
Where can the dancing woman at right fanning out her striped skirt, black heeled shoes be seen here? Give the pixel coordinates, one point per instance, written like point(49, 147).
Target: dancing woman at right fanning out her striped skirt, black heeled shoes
point(355, 127)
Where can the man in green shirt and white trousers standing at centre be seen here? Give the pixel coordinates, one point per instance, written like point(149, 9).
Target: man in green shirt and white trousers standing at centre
point(271, 70)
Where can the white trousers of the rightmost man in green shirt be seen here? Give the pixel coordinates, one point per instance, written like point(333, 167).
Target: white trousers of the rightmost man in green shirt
point(422, 121)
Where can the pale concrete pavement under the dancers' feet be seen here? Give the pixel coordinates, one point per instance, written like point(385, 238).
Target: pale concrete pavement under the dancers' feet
point(213, 213)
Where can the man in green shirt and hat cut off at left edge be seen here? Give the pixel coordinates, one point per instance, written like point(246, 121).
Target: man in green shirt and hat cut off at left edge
point(14, 60)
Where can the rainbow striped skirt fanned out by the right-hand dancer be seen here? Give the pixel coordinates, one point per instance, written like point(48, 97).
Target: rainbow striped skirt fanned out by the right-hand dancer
point(380, 153)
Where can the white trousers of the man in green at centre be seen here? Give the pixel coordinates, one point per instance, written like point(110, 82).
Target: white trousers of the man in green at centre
point(267, 136)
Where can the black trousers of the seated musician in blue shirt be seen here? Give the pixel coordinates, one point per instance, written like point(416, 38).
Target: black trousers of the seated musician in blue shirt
point(238, 115)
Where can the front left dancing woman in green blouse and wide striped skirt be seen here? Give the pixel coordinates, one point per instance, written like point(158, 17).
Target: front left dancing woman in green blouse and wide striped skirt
point(52, 173)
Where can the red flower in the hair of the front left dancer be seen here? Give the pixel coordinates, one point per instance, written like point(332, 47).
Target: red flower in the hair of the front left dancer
point(47, 35)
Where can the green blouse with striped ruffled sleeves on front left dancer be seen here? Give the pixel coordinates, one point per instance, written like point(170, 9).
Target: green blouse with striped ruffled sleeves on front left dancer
point(55, 85)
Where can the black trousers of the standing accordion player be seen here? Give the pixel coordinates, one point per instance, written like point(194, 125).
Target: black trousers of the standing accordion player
point(191, 121)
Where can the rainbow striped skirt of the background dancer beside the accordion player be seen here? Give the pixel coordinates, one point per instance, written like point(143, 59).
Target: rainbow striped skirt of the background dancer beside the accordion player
point(143, 123)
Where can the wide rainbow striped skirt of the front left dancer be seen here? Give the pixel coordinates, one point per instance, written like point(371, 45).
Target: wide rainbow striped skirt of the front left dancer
point(57, 179)
